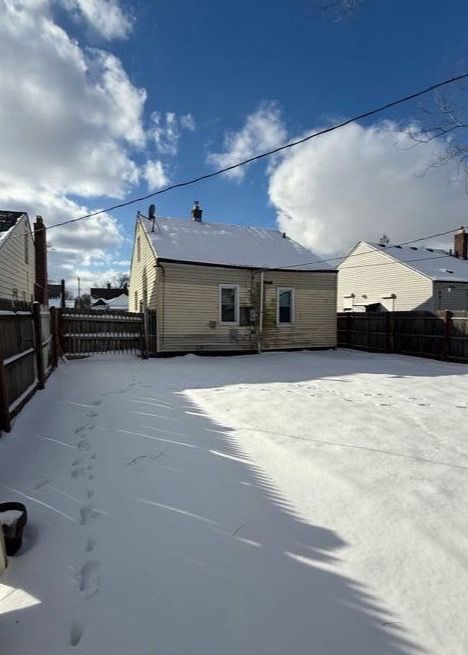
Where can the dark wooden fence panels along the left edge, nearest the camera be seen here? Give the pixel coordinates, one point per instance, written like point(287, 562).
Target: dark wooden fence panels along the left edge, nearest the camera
point(27, 355)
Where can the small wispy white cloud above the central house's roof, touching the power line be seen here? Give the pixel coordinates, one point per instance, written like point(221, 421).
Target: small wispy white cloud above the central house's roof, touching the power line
point(262, 130)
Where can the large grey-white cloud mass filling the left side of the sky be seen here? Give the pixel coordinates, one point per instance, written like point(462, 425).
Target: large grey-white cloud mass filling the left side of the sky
point(70, 123)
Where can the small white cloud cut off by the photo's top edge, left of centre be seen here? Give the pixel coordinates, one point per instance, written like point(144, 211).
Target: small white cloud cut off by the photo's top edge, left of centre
point(104, 16)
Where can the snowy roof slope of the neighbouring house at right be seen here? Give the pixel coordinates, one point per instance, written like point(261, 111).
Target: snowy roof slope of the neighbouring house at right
point(435, 263)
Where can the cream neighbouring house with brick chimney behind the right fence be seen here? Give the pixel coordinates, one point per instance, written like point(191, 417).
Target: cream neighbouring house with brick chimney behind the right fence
point(389, 277)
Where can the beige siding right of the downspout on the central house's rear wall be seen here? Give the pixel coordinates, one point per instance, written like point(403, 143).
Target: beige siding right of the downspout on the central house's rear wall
point(314, 321)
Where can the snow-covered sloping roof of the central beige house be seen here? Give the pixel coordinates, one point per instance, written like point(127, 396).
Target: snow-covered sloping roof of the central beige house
point(228, 245)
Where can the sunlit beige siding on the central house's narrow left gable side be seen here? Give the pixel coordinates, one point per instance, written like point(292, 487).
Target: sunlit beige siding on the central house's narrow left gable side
point(142, 273)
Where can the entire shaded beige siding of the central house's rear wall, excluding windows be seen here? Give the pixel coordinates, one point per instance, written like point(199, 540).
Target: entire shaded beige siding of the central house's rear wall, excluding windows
point(188, 310)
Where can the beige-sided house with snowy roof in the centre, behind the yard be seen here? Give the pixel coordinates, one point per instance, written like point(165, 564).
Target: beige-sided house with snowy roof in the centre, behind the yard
point(218, 287)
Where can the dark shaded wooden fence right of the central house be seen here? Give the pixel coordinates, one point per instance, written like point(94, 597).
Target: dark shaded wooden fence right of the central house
point(441, 335)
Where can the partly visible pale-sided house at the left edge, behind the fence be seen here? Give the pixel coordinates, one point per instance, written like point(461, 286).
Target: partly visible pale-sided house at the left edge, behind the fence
point(17, 257)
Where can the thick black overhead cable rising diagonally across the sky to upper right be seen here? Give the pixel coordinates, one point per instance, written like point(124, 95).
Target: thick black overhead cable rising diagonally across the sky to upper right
point(268, 153)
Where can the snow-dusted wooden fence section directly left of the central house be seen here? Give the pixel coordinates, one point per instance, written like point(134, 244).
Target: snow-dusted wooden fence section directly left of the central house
point(84, 332)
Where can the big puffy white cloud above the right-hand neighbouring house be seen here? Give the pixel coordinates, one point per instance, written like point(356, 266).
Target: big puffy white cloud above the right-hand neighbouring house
point(358, 182)
